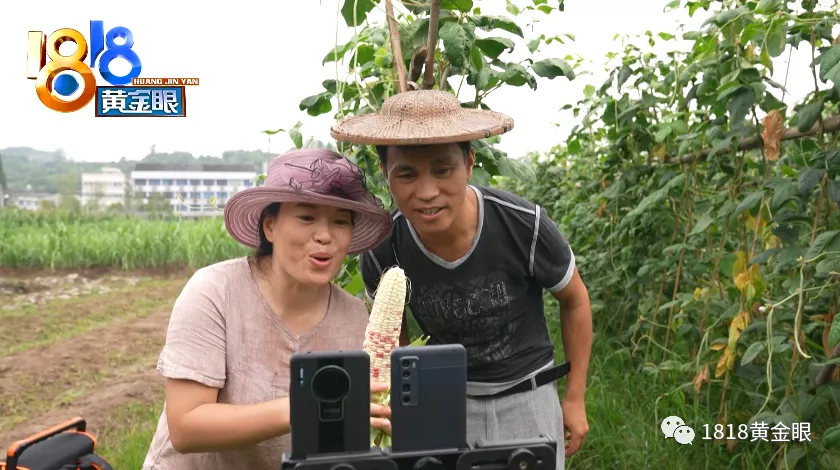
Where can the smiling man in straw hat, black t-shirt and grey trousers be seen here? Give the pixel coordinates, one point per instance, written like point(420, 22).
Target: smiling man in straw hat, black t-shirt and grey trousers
point(478, 260)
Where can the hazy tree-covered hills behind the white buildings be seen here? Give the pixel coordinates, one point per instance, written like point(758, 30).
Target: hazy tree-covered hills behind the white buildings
point(53, 172)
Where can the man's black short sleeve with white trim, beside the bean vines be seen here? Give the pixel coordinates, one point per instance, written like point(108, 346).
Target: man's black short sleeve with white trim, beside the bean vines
point(553, 259)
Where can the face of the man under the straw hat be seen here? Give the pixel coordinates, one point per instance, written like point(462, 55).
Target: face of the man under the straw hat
point(428, 183)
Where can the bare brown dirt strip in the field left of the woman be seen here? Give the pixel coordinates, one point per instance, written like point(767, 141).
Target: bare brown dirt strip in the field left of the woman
point(87, 375)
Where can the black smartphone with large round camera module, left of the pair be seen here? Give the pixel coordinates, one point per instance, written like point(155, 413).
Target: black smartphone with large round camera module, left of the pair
point(329, 397)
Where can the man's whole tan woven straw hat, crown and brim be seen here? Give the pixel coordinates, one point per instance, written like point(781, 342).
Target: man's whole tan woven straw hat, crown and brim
point(421, 117)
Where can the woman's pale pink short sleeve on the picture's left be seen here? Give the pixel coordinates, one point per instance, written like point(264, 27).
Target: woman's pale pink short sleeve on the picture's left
point(196, 346)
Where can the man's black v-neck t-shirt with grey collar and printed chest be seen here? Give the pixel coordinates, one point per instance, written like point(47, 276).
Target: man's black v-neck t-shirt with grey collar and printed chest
point(490, 300)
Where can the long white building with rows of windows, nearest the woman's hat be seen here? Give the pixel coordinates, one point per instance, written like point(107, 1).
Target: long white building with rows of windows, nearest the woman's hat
point(192, 189)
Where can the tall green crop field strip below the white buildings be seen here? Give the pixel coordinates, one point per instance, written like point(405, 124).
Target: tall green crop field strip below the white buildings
point(56, 240)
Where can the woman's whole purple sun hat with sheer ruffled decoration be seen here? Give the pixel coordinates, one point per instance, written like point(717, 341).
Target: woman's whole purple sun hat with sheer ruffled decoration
point(315, 176)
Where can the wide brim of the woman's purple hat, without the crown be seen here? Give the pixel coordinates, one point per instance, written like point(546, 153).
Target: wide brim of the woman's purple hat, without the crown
point(243, 210)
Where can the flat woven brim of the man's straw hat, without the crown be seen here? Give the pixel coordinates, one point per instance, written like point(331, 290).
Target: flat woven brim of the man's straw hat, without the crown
point(377, 129)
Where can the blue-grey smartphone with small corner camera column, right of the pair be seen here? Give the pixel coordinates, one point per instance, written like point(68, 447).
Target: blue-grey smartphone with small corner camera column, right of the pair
point(429, 397)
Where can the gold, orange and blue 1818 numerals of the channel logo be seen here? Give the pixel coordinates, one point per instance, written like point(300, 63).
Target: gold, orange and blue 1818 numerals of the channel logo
point(51, 87)
